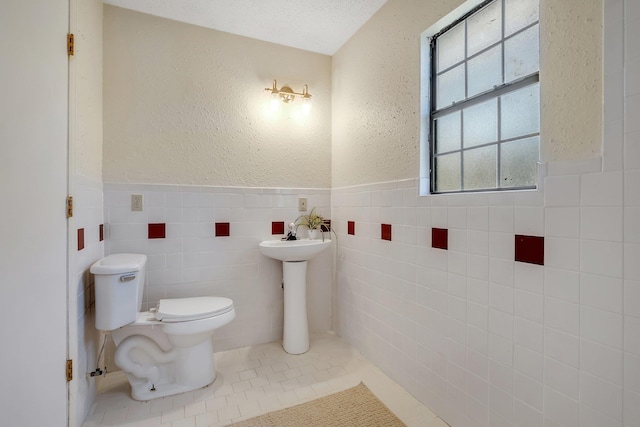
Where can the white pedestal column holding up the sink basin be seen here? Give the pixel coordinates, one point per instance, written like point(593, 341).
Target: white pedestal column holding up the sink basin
point(296, 329)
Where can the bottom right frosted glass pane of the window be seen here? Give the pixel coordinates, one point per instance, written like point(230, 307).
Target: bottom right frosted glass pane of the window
point(518, 162)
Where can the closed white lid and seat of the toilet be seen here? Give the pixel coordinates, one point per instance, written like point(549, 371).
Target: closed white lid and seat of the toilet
point(185, 309)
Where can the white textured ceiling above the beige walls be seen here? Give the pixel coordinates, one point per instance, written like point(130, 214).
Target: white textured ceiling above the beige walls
point(321, 26)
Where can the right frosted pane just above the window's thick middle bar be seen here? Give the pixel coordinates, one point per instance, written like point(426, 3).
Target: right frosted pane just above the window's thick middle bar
point(521, 54)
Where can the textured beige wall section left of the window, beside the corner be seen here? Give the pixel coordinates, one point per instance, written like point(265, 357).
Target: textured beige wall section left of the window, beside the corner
point(376, 94)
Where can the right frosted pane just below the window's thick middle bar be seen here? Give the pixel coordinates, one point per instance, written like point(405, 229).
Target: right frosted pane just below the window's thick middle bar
point(520, 112)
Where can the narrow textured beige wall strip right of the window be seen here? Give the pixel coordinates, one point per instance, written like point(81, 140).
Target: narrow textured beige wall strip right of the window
point(571, 79)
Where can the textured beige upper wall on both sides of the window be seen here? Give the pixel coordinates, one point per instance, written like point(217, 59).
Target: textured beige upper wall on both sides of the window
point(376, 88)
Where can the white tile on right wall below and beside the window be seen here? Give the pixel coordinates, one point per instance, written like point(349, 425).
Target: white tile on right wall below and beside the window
point(500, 342)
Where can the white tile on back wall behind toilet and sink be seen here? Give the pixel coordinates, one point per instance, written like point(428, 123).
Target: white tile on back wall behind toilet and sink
point(191, 261)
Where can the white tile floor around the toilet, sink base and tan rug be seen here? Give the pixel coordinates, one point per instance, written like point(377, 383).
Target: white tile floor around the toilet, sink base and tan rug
point(255, 380)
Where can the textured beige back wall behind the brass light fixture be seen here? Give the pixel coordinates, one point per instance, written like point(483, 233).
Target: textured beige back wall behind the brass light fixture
point(186, 105)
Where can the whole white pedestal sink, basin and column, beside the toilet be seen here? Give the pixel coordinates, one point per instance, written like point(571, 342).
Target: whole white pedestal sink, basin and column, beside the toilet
point(294, 255)
